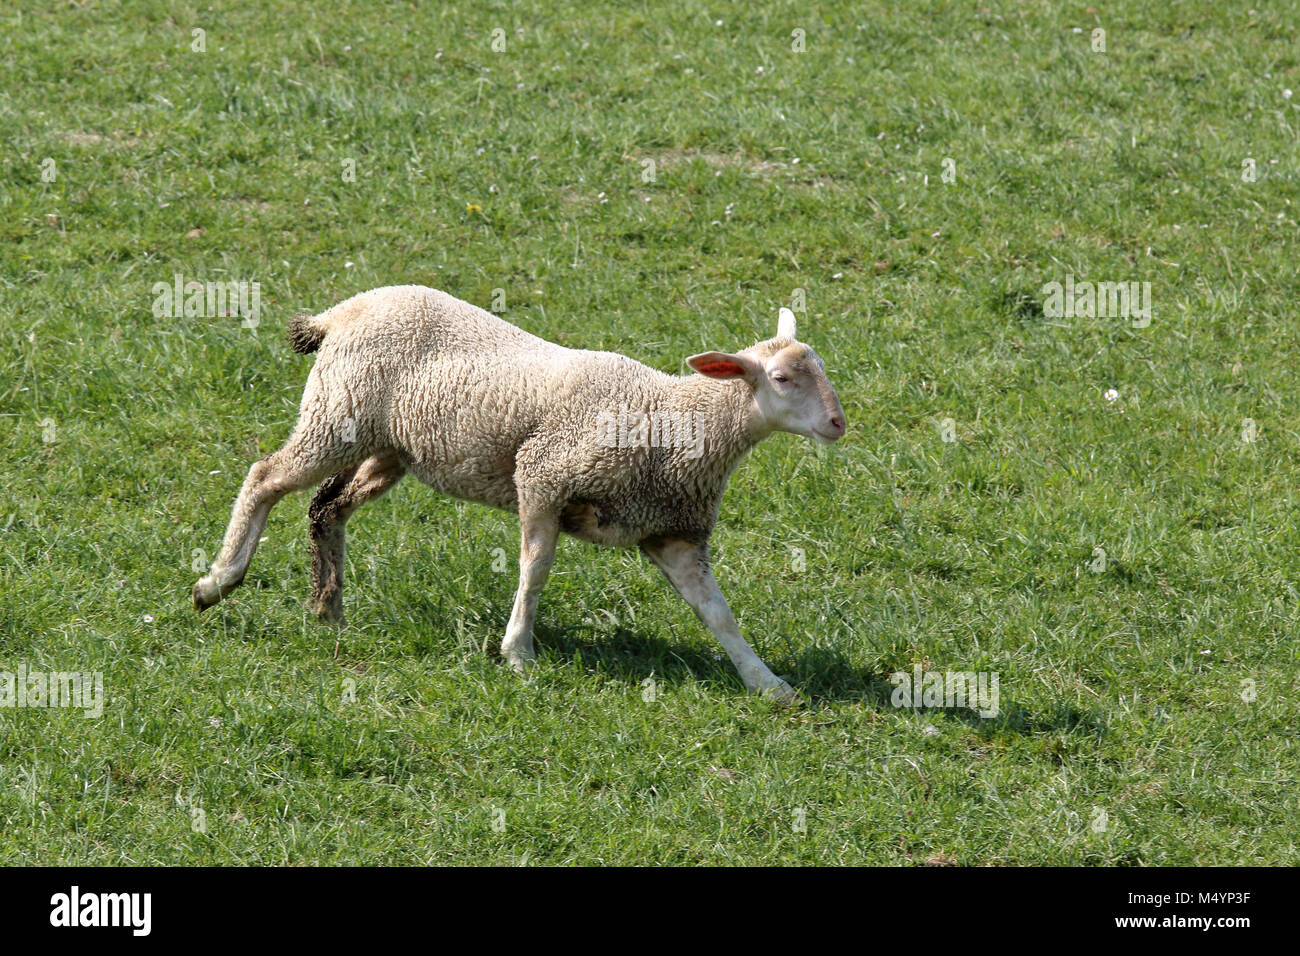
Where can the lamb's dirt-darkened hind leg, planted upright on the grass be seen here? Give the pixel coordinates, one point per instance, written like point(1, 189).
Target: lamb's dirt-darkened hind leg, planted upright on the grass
point(335, 503)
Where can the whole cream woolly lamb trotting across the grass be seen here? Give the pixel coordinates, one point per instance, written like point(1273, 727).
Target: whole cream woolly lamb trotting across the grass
point(591, 444)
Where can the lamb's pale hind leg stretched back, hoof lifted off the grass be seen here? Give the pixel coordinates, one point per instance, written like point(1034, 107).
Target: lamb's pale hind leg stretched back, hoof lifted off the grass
point(301, 464)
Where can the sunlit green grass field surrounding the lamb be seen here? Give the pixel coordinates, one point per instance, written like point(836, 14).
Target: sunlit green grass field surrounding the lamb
point(658, 180)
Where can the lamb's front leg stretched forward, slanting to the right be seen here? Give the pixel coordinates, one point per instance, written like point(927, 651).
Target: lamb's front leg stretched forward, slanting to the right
point(687, 566)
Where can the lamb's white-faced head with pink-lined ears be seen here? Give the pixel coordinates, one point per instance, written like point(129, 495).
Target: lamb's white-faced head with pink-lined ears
point(791, 390)
